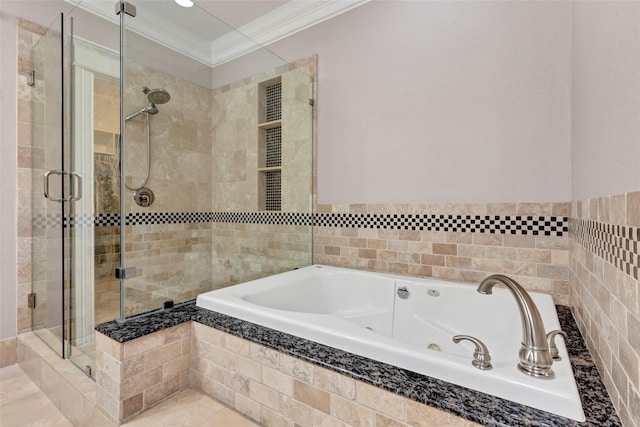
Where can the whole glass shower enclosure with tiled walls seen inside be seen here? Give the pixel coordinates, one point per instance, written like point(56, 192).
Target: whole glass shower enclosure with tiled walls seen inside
point(171, 156)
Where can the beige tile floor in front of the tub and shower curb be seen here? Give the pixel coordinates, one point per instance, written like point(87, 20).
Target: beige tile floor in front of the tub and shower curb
point(23, 404)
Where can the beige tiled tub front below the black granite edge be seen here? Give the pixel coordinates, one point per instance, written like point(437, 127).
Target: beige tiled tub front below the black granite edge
point(268, 386)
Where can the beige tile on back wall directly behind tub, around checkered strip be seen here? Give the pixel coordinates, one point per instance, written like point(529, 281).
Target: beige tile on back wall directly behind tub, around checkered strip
point(537, 262)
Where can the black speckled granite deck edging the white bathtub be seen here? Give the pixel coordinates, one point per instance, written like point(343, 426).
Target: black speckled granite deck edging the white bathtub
point(470, 404)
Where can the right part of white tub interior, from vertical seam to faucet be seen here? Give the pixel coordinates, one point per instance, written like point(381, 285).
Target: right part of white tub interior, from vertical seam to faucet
point(443, 311)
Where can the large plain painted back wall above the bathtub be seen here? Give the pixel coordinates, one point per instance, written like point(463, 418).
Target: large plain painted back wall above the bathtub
point(434, 102)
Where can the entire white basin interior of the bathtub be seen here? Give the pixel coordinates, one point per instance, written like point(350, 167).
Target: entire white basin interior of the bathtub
point(438, 312)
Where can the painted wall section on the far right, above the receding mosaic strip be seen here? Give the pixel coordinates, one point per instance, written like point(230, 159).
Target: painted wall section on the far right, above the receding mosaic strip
point(605, 101)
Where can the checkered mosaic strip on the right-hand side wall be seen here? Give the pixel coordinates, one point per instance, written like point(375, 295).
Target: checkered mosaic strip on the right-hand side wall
point(616, 244)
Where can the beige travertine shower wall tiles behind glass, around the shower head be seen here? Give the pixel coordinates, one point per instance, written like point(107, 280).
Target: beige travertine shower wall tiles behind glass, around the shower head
point(215, 134)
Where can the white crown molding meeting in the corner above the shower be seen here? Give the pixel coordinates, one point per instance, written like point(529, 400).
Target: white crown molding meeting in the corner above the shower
point(278, 24)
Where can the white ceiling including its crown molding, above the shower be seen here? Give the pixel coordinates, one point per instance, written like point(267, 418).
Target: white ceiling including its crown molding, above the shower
point(214, 32)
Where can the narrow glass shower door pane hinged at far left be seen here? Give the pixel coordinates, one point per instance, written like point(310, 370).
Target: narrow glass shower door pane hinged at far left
point(49, 276)
